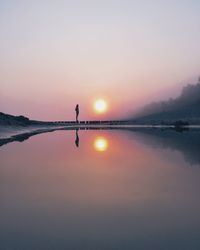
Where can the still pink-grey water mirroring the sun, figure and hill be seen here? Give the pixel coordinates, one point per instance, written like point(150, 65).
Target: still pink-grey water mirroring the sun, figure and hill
point(101, 189)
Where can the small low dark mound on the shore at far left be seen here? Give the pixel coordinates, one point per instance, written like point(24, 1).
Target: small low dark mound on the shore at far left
point(12, 120)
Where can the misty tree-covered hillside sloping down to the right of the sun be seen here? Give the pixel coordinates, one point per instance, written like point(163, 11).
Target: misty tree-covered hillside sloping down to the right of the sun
point(186, 107)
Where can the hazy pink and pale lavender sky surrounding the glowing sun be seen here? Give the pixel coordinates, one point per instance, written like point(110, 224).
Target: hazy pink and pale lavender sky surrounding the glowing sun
point(55, 54)
